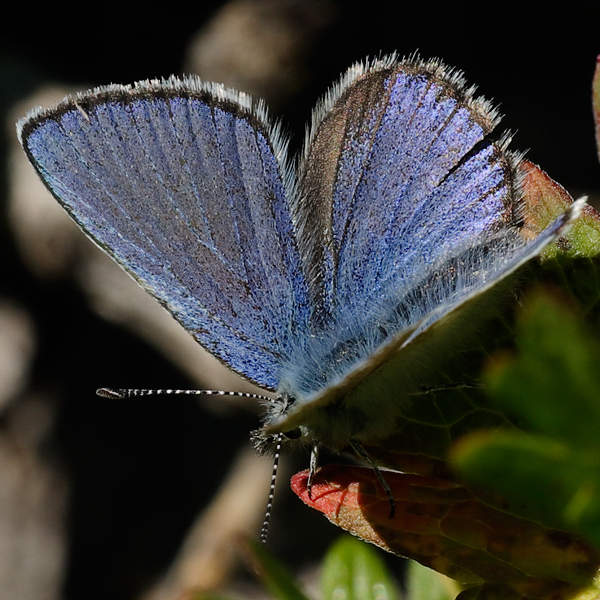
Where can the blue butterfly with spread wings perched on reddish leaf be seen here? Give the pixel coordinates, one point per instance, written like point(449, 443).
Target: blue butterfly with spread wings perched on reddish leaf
point(334, 284)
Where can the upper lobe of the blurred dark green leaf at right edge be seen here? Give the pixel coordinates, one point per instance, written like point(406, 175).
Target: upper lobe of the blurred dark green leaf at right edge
point(556, 372)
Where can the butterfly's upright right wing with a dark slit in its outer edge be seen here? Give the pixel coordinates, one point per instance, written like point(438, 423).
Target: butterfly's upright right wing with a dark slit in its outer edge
point(417, 180)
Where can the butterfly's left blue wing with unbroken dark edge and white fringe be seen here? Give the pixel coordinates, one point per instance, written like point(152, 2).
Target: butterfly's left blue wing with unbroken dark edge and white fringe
point(182, 183)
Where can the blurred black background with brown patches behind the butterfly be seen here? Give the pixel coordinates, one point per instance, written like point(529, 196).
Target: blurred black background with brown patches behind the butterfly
point(103, 499)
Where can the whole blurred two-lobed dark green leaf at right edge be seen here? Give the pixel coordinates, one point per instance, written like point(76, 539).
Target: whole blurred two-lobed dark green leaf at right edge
point(552, 472)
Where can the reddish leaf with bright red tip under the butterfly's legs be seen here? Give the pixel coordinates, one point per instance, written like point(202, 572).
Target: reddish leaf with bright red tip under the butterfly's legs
point(441, 525)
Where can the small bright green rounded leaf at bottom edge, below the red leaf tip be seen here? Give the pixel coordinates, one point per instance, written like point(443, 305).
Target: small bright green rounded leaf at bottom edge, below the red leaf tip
point(352, 570)
